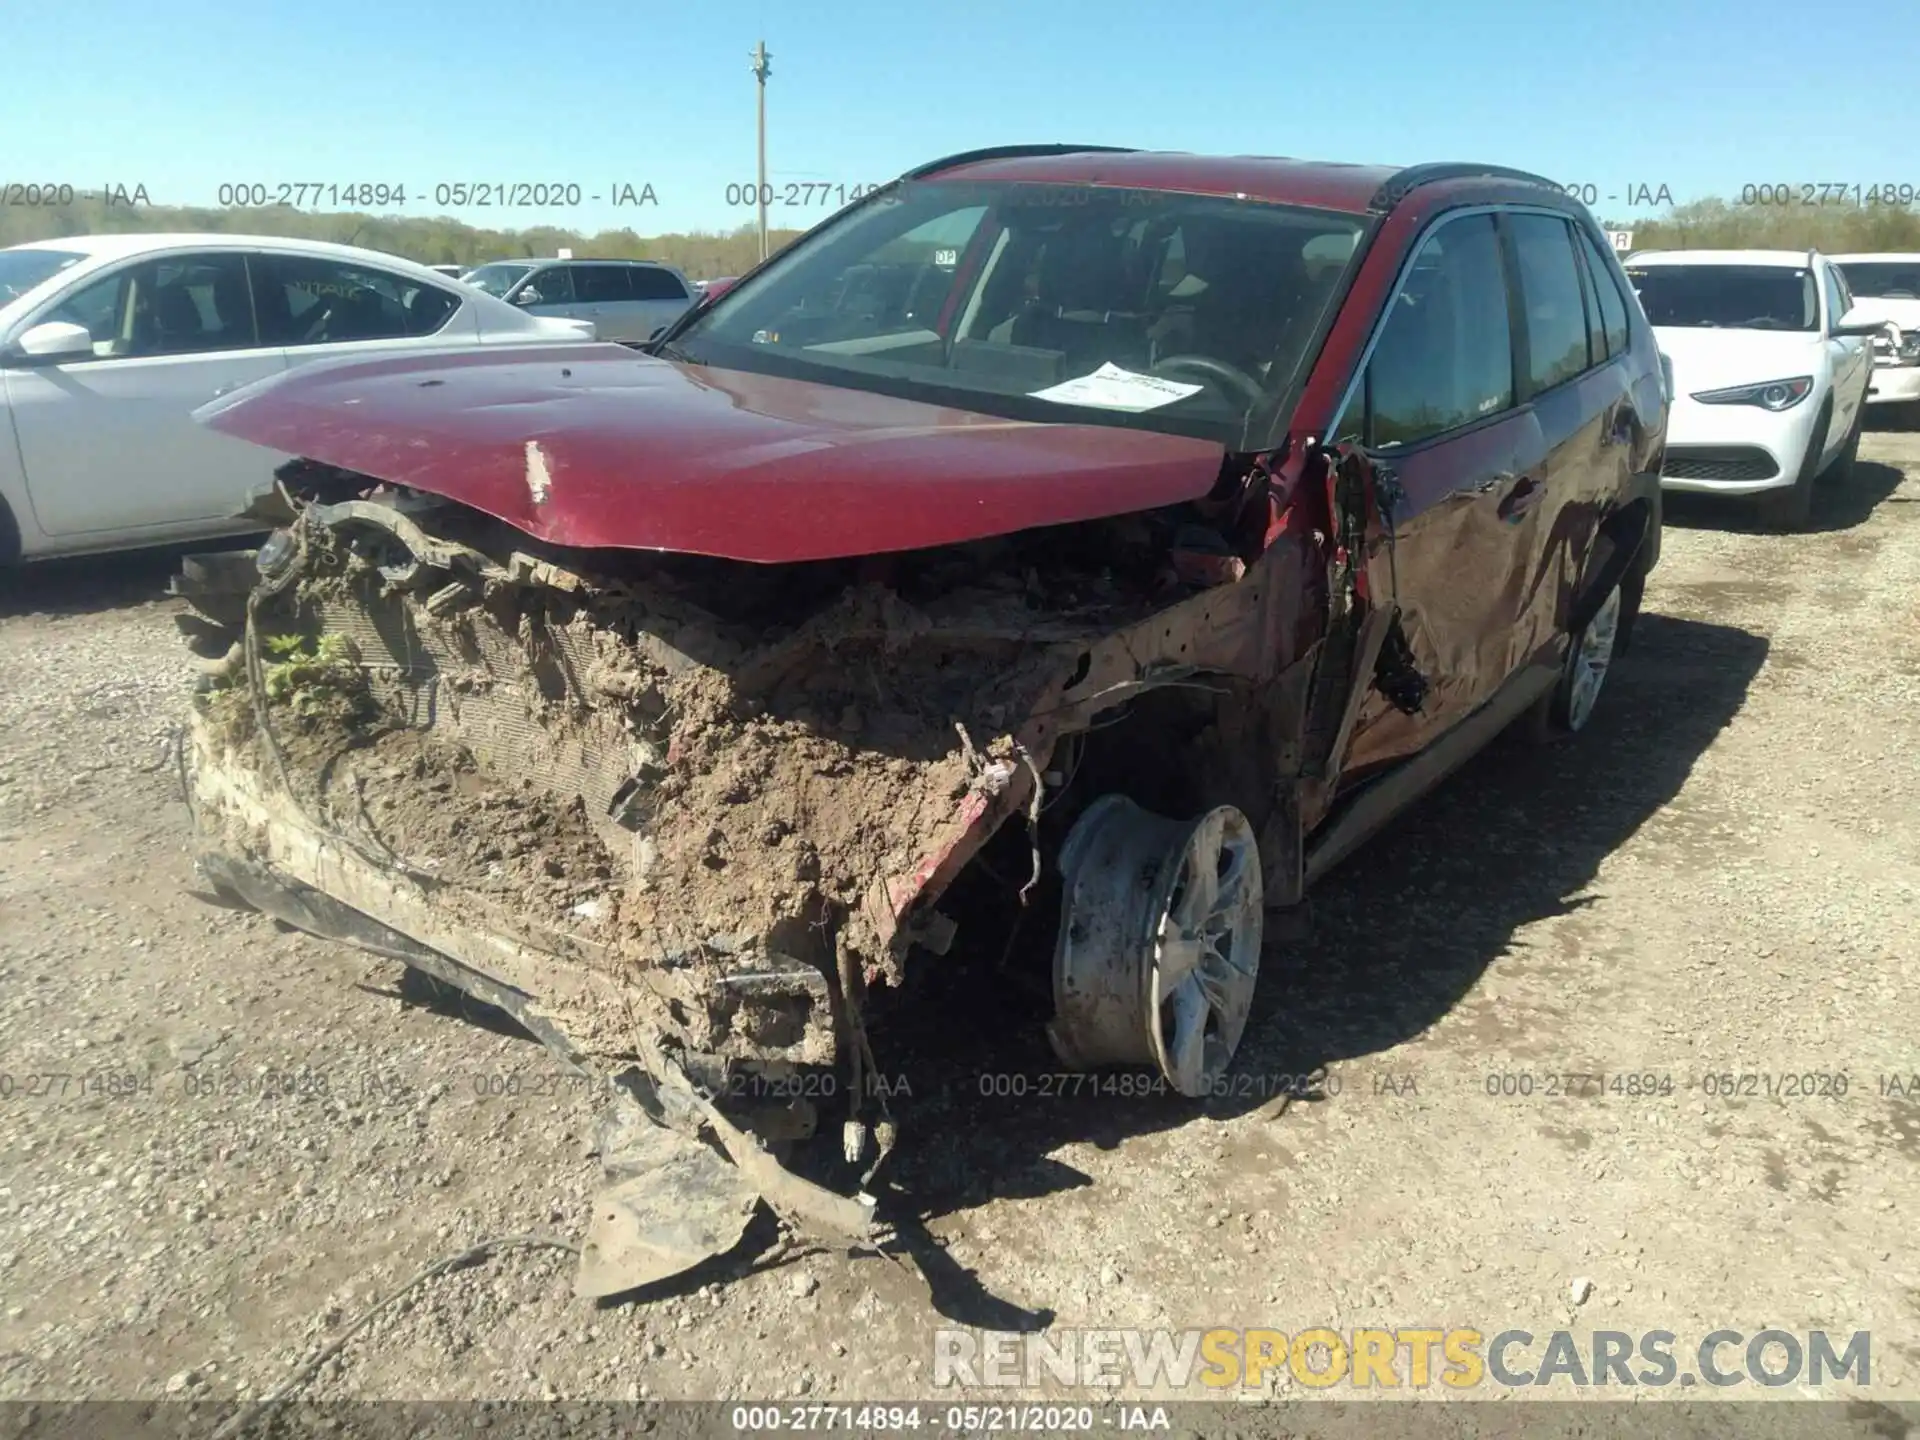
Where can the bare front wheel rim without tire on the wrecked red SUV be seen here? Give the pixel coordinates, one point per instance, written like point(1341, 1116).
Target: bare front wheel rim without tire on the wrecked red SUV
point(1159, 949)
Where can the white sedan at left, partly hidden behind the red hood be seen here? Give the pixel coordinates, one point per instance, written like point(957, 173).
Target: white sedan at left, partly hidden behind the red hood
point(110, 343)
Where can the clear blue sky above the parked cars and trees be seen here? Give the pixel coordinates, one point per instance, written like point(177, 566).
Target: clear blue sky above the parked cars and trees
point(181, 95)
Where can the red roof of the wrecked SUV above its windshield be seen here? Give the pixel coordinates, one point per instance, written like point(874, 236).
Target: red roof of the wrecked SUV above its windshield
point(1257, 178)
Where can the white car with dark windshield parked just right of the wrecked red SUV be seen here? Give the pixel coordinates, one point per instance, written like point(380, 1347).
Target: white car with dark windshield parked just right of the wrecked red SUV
point(1769, 368)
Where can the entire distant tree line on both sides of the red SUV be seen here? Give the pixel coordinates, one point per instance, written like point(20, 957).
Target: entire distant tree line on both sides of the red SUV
point(711, 254)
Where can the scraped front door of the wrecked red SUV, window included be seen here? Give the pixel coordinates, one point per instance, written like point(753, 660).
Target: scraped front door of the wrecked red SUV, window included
point(1437, 404)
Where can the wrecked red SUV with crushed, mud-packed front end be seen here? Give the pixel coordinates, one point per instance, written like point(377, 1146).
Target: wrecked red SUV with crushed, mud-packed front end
point(1095, 535)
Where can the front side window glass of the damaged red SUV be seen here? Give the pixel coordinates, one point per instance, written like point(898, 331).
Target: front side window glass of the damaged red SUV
point(1445, 356)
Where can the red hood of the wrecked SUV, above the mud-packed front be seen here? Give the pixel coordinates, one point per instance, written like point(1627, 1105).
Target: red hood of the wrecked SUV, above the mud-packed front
point(604, 446)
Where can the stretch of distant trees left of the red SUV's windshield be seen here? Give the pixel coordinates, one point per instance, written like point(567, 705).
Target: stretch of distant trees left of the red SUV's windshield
point(431, 241)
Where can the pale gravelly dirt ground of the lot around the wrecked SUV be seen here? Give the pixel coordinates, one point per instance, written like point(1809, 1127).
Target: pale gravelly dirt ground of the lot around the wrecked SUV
point(260, 1132)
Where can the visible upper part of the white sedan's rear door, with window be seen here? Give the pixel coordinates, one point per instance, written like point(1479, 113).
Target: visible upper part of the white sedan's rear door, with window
point(322, 306)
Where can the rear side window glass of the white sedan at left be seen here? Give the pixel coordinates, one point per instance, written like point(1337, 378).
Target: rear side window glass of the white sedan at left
point(304, 300)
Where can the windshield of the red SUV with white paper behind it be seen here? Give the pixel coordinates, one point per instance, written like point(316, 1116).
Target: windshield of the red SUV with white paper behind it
point(1178, 312)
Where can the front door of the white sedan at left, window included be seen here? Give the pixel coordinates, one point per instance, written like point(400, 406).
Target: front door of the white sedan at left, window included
point(108, 443)
